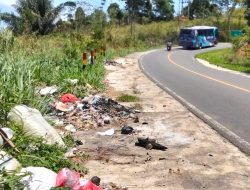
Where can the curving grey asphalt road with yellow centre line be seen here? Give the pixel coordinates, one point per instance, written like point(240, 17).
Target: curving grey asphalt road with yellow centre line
point(222, 95)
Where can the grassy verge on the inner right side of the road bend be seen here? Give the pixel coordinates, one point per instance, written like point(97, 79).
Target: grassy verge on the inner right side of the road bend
point(225, 58)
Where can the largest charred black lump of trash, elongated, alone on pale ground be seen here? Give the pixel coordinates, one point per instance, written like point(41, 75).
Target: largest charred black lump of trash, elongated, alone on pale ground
point(150, 144)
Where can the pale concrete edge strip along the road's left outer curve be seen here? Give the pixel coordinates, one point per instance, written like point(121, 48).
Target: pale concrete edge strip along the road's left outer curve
point(243, 145)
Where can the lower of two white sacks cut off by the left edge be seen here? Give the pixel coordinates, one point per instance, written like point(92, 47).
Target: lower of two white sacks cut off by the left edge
point(7, 162)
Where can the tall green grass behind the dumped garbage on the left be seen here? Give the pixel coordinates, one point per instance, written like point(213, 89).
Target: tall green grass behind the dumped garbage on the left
point(32, 62)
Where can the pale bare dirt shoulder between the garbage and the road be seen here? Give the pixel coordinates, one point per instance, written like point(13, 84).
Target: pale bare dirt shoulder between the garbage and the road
point(196, 158)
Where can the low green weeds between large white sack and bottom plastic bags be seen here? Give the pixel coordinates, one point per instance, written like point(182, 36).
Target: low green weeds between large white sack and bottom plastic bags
point(34, 152)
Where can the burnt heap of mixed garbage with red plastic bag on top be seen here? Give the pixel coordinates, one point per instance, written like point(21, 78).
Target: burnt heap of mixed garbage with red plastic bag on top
point(87, 113)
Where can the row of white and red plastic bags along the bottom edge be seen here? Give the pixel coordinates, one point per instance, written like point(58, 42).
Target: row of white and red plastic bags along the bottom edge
point(40, 178)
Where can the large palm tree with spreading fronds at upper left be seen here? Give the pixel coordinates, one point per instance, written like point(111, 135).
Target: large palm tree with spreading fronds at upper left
point(34, 16)
